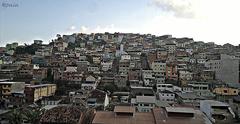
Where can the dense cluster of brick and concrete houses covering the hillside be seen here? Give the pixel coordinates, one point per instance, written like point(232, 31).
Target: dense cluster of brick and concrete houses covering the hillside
point(125, 78)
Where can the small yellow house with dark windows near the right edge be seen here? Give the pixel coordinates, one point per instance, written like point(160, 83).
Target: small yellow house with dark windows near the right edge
point(226, 91)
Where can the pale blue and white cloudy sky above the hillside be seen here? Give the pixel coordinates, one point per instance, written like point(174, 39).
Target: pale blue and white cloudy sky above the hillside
point(216, 21)
